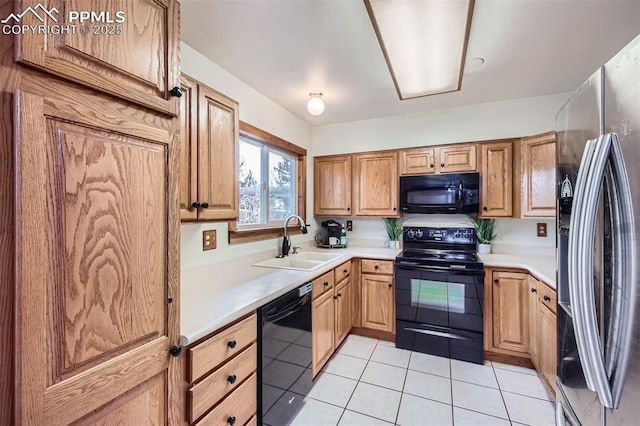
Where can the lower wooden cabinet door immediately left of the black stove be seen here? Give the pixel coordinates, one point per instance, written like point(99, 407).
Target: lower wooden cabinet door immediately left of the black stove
point(377, 302)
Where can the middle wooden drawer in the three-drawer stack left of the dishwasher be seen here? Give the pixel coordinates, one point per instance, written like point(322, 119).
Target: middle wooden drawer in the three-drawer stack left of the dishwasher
point(208, 392)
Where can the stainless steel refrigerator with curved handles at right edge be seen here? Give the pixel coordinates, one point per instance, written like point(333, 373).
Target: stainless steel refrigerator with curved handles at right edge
point(598, 157)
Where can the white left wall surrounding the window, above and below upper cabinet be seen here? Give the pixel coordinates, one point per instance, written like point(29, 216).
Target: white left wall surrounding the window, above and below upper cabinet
point(259, 111)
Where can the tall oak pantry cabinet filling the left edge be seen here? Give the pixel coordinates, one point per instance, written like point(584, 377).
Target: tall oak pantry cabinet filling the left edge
point(90, 208)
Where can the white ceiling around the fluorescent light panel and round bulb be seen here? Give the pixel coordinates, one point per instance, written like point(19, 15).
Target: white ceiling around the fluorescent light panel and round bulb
point(288, 48)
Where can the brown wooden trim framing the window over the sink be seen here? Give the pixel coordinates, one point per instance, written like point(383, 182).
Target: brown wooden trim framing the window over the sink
point(269, 231)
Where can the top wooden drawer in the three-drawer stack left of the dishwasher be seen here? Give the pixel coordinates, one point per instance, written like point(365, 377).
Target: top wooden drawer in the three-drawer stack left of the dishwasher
point(209, 354)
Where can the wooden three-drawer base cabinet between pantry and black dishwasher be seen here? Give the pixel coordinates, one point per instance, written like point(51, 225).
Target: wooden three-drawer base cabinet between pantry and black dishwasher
point(222, 376)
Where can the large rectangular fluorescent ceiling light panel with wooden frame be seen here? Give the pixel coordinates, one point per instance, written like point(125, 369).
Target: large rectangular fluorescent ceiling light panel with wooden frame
point(424, 42)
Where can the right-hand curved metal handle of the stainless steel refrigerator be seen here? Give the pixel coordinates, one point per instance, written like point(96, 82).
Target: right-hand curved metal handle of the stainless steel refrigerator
point(624, 272)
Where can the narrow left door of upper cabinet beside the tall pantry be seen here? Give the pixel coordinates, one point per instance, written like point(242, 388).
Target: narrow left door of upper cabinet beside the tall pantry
point(188, 148)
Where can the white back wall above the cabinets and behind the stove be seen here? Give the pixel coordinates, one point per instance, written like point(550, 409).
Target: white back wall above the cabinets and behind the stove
point(513, 118)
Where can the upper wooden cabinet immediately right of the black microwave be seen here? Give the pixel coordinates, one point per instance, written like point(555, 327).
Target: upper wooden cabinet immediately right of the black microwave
point(496, 175)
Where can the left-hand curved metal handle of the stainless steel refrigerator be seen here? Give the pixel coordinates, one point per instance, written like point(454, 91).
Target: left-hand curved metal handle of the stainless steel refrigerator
point(583, 302)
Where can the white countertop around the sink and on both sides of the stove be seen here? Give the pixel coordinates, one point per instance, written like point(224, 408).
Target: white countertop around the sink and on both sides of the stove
point(214, 295)
